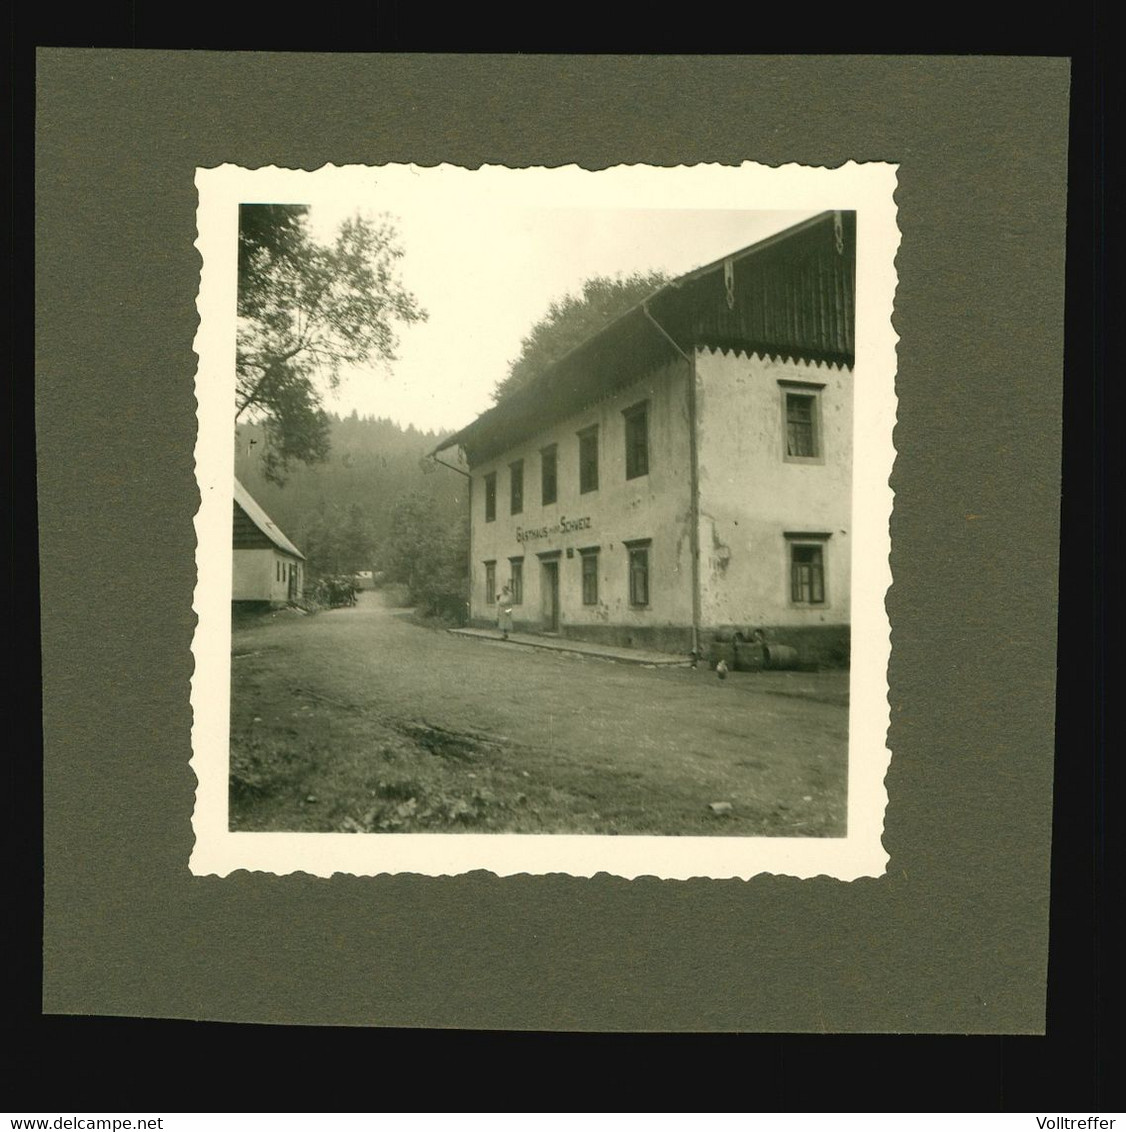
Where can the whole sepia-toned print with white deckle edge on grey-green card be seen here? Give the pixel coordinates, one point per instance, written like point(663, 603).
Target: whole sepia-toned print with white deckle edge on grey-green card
point(545, 520)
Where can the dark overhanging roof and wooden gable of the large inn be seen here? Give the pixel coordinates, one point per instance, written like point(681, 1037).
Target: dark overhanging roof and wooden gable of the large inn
point(792, 295)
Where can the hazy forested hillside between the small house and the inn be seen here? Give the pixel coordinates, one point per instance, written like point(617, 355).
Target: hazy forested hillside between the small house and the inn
point(377, 503)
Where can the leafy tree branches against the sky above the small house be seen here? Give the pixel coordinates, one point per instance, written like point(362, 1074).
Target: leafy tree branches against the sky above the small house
point(306, 311)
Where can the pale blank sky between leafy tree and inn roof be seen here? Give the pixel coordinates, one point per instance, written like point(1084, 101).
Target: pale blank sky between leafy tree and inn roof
point(487, 259)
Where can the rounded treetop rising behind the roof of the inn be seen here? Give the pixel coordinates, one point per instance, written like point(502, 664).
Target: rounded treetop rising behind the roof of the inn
point(572, 321)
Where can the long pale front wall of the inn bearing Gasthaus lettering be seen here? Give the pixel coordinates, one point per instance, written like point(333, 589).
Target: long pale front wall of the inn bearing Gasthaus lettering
point(652, 507)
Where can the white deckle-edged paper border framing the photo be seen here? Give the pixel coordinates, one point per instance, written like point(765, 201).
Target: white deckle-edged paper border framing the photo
point(867, 188)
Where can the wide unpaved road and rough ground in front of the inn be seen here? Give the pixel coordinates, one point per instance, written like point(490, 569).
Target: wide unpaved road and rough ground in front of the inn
point(359, 719)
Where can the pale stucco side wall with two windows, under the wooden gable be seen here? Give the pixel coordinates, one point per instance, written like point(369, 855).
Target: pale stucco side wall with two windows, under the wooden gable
point(751, 495)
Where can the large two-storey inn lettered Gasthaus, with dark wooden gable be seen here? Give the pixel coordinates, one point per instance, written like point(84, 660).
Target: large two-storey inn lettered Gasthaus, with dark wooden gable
point(685, 474)
